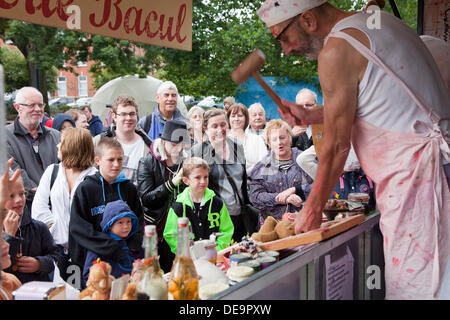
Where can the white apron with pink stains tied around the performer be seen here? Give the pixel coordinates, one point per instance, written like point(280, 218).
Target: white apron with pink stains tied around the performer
point(412, 195)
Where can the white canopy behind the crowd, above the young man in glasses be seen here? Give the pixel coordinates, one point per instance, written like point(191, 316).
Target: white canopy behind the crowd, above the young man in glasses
point(142, 89)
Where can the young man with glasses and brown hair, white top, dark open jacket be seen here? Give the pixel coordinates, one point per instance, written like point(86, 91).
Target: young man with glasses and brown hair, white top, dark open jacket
point(134, 140)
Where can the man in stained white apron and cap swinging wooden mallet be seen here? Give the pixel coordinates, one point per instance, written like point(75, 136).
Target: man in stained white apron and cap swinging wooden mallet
point(384, 93)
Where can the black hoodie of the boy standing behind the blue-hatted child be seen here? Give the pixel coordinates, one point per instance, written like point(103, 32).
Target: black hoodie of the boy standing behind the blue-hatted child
point(88, 204)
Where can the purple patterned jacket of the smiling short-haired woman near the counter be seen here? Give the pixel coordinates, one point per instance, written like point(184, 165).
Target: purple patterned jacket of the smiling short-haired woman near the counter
point(267, 180)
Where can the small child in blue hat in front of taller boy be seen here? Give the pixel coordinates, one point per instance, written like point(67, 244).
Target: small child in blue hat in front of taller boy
point(120, 223)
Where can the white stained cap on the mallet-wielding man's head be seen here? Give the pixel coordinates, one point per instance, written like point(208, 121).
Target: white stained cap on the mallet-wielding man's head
point(273, 12)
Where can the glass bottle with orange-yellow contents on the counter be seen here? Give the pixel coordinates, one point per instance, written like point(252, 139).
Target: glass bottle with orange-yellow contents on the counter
point(183, 281)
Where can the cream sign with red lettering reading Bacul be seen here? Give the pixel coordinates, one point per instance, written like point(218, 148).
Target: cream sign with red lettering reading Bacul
point(162, 23)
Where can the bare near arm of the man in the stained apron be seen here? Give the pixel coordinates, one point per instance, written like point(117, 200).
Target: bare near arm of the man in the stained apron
point(339, 71)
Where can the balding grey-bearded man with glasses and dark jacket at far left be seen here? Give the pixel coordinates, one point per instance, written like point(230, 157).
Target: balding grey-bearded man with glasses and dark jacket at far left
point(30, 143)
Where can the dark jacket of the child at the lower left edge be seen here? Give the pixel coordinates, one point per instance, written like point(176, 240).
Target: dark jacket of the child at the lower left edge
point(35, 240)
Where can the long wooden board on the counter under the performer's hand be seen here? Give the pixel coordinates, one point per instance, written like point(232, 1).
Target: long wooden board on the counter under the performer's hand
point(324, 232)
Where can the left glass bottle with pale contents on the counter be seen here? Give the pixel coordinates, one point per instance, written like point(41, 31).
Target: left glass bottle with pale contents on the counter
point(152, 285)
